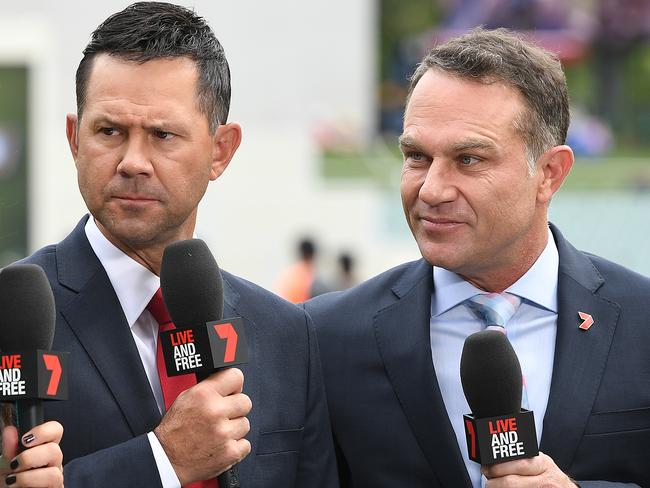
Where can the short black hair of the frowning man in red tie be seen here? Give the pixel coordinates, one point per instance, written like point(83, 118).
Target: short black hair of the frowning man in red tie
point(145, 31)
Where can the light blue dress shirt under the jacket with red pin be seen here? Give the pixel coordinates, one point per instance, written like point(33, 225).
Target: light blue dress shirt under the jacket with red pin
point(531, 331)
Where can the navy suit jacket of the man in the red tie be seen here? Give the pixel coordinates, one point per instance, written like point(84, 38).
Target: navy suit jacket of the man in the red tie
point(111, 406)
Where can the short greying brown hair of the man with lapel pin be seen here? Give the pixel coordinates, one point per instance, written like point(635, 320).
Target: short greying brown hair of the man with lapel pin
point(500, 55)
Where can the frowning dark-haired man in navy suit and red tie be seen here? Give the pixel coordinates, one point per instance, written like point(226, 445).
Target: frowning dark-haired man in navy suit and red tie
point(150, 133)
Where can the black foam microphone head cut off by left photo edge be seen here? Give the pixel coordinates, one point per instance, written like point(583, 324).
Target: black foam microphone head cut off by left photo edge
point(27, 304)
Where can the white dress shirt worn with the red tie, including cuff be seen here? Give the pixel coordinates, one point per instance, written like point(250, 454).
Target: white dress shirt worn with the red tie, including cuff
point(134, 286)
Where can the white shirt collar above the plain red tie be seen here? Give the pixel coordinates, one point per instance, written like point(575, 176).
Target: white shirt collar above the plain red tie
point(134, 284)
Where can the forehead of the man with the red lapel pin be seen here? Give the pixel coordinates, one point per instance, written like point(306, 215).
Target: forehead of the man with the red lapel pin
point(444, 102)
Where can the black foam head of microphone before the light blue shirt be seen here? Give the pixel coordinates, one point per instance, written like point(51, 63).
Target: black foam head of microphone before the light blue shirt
point(490, 374)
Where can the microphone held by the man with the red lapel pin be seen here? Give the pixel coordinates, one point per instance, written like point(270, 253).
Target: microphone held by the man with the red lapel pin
point(498, 430)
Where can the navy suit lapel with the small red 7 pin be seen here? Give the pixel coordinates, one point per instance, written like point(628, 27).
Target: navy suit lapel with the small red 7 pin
point(580, 355)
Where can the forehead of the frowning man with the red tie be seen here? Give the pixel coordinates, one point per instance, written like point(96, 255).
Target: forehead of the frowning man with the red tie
point(161, 83)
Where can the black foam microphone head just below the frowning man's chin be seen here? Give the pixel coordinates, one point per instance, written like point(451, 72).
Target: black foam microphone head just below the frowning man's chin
point(191, 283)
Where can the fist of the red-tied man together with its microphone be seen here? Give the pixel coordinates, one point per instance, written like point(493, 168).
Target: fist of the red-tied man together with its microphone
point(203, 431)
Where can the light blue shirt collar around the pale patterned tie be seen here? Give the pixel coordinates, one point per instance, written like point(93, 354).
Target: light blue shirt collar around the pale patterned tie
point(538, 285)
